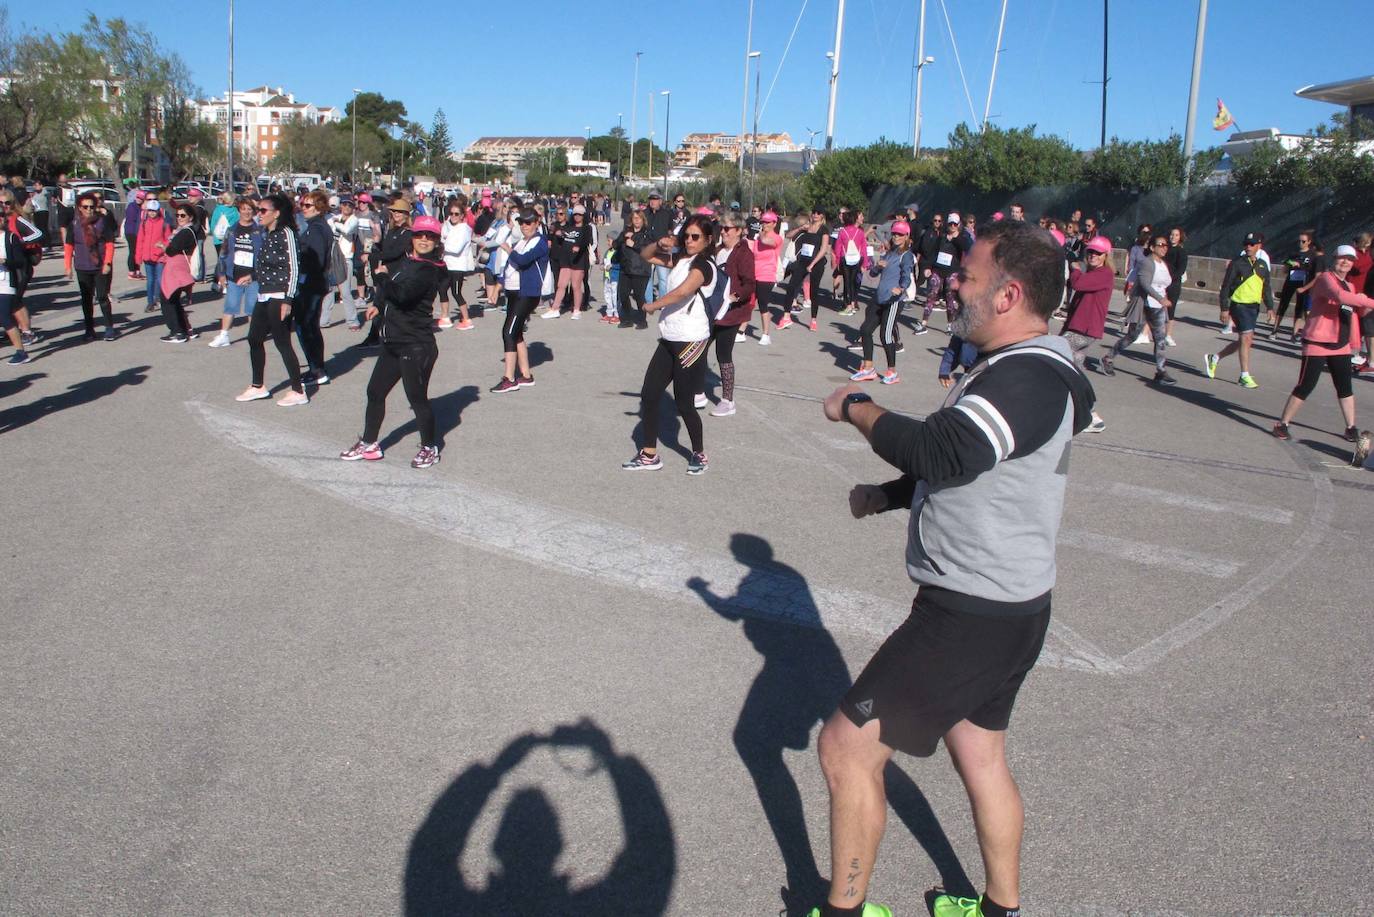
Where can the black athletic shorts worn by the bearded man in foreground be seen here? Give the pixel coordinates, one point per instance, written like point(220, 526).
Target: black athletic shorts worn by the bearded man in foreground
point(945, 666)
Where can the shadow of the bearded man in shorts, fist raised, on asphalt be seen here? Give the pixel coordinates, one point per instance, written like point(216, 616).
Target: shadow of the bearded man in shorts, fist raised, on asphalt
point(799, 687)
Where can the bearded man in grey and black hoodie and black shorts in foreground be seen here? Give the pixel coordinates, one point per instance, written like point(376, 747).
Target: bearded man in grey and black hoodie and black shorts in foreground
point(984, 478)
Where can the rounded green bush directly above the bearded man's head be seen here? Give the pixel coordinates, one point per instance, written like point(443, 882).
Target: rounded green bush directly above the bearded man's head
point(1008, 160)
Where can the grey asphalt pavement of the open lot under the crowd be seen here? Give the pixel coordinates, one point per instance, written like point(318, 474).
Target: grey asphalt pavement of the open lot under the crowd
point(243, 677)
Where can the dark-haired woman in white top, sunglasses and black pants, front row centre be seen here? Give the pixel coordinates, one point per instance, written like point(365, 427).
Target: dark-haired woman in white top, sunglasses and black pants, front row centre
point(684, 338)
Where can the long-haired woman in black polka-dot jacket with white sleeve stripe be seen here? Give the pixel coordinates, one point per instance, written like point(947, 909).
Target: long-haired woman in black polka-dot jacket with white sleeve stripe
point(277, 270)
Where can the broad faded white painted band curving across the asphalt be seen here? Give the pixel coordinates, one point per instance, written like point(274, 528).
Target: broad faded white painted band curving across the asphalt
point(575, 544)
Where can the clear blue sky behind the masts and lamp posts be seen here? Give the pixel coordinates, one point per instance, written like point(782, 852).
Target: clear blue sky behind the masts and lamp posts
point(579, 63)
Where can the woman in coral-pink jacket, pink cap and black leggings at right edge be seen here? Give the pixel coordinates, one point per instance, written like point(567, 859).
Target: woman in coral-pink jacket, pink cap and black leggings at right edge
point(1328, 338)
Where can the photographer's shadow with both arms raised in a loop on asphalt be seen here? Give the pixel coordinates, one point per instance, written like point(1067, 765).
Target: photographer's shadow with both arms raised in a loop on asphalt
point(530, 841)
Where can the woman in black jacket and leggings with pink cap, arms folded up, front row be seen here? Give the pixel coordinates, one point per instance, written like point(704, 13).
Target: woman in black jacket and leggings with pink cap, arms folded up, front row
point(406, 294)
